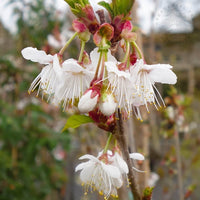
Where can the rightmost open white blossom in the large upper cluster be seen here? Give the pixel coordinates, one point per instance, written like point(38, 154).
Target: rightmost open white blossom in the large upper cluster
point(144, 77)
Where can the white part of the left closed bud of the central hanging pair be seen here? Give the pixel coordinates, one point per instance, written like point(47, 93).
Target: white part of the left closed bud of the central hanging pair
point(87, 103)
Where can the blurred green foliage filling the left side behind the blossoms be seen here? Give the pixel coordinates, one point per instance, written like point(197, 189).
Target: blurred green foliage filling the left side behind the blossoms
point(32, 148)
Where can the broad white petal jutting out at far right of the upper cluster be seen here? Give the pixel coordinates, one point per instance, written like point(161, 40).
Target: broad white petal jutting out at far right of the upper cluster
point(161, 73)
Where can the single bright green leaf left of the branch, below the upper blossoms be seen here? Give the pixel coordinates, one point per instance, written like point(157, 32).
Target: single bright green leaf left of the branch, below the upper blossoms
point(76, 120)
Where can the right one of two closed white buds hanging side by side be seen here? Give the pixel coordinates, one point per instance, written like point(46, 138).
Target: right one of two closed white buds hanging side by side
point(107, 104)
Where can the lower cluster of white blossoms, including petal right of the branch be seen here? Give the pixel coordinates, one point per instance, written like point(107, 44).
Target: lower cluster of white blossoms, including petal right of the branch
point(105, 172)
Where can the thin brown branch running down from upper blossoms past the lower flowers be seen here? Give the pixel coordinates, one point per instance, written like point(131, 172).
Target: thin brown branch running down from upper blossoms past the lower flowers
point(121, 139)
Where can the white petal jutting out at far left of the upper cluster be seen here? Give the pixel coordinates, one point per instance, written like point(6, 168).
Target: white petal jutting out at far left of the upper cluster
point(35, 55)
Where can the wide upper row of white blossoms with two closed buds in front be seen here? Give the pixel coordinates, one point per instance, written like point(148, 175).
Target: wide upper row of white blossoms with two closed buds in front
point(72, 83)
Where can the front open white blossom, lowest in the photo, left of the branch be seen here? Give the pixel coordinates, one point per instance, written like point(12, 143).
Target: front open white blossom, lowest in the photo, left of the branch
point(98, 174)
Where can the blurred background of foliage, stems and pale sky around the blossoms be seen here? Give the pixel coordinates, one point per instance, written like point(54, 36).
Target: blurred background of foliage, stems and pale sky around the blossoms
point(37, 161)
